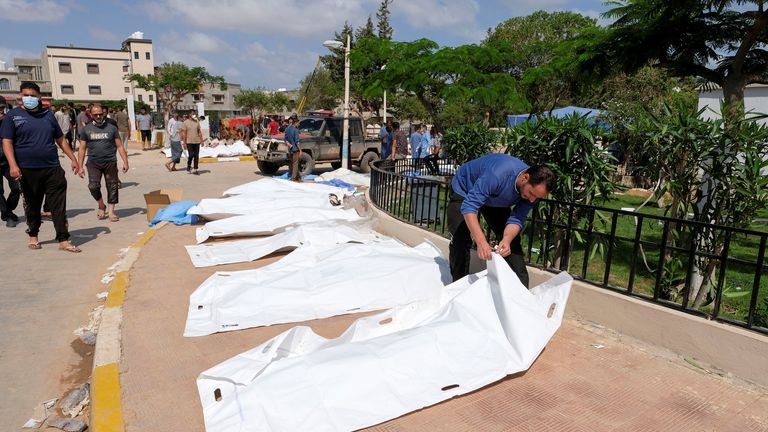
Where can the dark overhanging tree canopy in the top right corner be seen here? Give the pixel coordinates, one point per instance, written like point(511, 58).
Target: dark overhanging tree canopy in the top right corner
point(719, 41)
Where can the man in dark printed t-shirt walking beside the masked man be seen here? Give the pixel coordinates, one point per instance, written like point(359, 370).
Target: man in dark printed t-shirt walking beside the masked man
point(101, 140)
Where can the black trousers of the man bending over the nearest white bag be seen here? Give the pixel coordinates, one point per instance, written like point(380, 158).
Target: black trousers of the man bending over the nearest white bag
point(461, 239)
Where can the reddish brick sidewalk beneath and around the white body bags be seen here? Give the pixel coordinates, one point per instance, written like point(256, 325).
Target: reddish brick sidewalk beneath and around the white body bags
point(587, 379)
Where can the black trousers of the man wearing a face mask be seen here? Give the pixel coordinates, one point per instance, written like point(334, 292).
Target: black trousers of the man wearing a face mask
point(51, 184)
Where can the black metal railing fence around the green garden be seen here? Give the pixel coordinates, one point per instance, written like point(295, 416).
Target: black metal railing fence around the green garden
point(714, 271)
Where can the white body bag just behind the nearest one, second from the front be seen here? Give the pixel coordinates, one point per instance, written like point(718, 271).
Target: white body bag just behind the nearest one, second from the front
point(317, 282)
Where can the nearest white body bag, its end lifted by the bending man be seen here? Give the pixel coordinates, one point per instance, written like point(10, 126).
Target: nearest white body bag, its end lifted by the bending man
point(389, 364)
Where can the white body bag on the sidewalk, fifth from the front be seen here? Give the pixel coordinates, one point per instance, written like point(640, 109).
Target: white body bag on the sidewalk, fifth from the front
point(221, 208)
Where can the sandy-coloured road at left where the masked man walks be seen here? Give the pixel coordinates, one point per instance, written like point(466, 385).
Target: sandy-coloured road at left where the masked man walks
point(46, 294)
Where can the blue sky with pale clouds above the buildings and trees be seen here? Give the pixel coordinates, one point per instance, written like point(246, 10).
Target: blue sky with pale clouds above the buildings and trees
point(268, 43)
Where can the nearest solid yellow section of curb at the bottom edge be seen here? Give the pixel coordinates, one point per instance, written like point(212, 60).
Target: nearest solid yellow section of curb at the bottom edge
point(106, 399)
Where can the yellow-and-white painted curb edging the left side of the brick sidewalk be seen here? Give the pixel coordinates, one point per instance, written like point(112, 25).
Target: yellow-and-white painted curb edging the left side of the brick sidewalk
point(106, 402)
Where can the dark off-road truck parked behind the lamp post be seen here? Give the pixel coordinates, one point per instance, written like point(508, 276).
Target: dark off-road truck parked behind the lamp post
point(321, 139)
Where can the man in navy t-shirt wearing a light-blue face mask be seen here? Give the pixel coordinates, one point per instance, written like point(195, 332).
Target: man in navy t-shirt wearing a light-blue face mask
point(28, 134)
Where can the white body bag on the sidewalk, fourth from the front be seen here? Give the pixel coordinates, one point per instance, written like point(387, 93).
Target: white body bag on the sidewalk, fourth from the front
point(272, 221)
